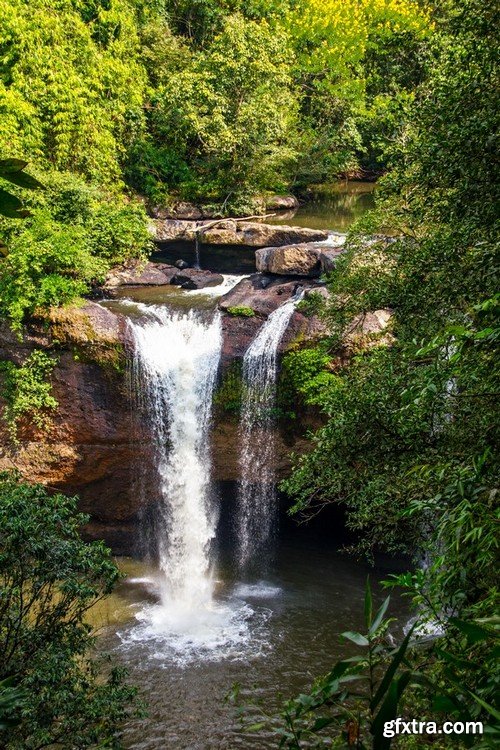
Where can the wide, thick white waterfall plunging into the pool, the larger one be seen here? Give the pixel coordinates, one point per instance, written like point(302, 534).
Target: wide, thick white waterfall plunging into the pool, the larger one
point(174, 372)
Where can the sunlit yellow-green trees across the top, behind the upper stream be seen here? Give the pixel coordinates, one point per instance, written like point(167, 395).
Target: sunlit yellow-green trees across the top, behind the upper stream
point(205, 100)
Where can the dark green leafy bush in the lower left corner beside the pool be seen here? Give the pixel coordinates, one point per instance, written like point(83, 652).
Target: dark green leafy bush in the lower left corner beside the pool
point(49, 580)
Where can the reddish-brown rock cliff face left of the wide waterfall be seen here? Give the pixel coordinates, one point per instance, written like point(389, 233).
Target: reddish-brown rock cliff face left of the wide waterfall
point(93, 441)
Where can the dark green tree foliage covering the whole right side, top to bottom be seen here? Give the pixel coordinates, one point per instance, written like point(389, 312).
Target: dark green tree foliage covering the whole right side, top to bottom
point(409, 449)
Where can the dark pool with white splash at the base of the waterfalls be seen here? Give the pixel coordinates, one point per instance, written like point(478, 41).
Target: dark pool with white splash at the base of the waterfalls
point(278, 630)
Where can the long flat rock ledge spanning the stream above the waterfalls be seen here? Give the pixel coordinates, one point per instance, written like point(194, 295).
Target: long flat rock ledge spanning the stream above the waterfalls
point(231, 232)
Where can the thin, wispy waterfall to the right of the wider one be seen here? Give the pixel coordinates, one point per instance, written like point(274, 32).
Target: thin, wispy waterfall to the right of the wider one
point(256, 489)
